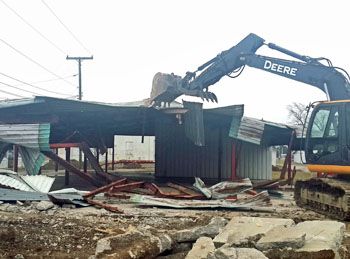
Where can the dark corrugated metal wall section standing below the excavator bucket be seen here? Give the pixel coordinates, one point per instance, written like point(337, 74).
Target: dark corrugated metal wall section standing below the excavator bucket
point(177, 156)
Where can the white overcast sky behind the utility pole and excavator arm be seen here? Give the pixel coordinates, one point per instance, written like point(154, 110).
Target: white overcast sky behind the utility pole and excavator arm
point(133, 40)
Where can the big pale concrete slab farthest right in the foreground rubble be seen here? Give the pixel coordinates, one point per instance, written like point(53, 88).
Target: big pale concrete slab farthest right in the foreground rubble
point(323, 240)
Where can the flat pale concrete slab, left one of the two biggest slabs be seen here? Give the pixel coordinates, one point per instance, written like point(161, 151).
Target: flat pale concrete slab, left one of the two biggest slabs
point(241, 231)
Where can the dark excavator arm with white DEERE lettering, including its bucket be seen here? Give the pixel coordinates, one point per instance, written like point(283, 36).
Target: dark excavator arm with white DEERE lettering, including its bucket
point(167, 88)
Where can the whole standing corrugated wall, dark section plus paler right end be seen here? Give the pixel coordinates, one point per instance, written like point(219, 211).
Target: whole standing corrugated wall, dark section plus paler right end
point(176, 156)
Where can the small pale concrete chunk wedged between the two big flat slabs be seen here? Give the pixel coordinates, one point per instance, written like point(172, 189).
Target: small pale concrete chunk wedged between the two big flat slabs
point(281, 236)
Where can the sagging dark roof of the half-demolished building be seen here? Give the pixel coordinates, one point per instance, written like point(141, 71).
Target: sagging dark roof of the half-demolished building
point(97, 123)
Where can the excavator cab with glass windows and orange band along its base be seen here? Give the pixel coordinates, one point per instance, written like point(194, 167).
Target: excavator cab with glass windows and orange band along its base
point(328, 138)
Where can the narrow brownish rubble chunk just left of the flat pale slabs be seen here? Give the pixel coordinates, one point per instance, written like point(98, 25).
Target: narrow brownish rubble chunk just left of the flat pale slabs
point(211, 230)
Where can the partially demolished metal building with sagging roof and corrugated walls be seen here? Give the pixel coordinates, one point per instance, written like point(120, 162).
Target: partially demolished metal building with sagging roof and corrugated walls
point(214, 144)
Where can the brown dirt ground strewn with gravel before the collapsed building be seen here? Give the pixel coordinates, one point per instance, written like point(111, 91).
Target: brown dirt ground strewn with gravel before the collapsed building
point(73, 232)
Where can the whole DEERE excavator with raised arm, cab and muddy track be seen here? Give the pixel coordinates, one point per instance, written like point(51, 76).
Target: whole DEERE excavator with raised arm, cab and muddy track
point(327, 138)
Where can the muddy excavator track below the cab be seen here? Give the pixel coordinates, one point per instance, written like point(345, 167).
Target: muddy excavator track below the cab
point(327, 196)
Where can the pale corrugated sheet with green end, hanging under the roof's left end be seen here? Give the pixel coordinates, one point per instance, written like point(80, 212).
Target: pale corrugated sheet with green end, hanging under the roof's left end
point(35, 136)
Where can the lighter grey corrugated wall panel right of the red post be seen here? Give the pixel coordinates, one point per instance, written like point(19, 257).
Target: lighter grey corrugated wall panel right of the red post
point(255, 162)
